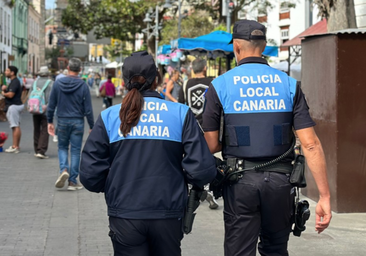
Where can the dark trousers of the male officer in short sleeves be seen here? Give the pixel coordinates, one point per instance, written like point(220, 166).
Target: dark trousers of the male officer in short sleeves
point(260, 205)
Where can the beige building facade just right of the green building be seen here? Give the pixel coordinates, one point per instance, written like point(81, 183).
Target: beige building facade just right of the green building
point(34, 20)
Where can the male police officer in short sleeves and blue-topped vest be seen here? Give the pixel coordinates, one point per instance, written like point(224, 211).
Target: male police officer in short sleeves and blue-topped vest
point(260, 106)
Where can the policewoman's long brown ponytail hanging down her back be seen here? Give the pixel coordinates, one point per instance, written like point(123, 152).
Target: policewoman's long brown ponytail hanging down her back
point(131, 107)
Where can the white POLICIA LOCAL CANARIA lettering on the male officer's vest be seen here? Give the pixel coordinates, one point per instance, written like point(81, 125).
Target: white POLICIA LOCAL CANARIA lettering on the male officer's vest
point(266, 103)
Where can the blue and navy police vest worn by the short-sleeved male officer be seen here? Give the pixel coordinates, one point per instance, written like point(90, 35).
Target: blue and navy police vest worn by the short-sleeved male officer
point(257, 101)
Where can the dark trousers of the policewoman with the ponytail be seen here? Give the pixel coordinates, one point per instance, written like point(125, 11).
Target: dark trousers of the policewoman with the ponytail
point(146, 237)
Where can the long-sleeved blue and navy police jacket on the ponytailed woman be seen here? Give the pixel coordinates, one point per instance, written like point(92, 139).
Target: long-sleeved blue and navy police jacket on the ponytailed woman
point(144, 174)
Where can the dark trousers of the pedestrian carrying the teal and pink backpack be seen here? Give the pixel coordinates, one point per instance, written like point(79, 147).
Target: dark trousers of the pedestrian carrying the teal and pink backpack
point(40, 134)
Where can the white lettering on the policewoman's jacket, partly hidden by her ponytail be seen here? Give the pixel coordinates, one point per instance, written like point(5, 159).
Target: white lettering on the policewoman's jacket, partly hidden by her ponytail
point(142, 130)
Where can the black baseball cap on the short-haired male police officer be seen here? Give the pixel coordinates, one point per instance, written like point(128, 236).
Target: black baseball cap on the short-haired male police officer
point(243, 30)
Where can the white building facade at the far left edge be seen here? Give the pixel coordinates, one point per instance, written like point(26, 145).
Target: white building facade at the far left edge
point(5, 33)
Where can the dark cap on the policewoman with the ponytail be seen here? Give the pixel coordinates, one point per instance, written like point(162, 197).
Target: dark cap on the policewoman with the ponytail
point(139, 64)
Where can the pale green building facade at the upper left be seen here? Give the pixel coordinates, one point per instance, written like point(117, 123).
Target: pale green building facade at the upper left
point(20, 36)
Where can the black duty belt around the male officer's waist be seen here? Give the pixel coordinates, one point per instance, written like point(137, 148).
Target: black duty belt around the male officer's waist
point(240, 164)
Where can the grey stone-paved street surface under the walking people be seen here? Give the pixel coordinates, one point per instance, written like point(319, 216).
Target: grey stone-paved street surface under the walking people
point(38, 219)
